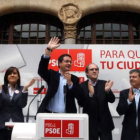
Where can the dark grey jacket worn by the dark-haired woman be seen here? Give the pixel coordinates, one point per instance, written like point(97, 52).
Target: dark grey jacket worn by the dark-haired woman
point(12, 108)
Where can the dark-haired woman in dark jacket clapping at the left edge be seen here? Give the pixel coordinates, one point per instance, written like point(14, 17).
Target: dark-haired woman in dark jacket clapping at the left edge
point(13, 98)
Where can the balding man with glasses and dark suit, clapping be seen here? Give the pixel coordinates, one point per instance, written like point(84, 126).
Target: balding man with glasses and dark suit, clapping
point(97, 95)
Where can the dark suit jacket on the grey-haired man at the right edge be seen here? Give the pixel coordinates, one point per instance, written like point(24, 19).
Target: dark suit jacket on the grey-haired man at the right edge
point(129, 112)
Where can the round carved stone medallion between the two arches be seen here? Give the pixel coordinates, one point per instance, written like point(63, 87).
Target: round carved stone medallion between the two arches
point(70, 13)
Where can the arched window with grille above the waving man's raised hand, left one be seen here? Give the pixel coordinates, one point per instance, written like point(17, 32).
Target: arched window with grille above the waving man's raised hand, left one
point(29, 28)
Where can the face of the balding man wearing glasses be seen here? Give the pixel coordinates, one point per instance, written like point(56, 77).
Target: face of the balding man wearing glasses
point(92, 72)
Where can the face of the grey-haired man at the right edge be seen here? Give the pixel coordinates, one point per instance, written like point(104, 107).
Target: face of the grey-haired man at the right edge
point(135, 79)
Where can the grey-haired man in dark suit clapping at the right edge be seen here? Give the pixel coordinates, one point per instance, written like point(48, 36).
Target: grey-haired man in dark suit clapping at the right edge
point(129, 106)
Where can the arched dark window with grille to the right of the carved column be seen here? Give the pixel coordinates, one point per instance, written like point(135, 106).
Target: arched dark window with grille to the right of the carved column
point(109, 28)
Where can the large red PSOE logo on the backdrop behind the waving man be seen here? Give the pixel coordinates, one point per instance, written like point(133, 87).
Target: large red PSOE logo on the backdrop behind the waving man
point(80, 57)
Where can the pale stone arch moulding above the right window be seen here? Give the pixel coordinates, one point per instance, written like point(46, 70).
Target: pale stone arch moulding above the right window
point(109, 5)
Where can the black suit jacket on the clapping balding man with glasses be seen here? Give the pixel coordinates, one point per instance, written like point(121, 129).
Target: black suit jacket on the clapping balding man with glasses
point(97, 108)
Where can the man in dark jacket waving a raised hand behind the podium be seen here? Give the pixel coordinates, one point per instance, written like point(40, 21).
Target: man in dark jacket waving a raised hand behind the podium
point(63, 87)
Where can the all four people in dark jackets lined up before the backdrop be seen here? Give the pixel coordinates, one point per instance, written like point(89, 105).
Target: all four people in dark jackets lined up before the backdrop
point(63, 88)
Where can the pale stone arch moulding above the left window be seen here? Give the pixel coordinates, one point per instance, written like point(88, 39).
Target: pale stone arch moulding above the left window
point(40, 6)
